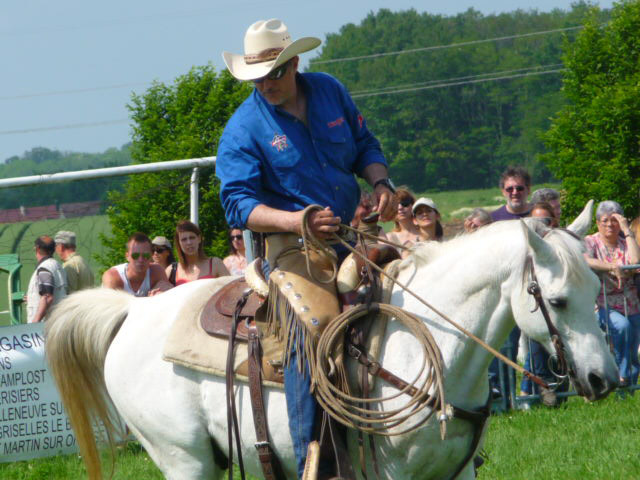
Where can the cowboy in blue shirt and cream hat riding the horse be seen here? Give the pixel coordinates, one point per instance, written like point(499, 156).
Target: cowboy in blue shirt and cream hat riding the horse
point(296, 141)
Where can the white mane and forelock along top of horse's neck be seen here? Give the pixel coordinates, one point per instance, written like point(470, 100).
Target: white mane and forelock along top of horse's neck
point(567, 247)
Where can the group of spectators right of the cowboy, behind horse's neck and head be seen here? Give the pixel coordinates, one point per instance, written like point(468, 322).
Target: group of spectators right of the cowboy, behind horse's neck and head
point(612, 247)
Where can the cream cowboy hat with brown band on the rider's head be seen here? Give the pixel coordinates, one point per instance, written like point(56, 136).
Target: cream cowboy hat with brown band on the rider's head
point(267, 45)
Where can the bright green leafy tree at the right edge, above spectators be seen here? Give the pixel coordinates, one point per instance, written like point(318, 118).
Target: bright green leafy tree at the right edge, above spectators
point(595, 139)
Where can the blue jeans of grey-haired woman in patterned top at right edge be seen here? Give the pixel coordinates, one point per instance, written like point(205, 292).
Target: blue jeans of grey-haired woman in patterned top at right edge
point(625, 337)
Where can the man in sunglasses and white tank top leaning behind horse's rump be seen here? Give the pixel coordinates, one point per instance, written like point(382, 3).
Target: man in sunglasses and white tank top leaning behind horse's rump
point(138, 276)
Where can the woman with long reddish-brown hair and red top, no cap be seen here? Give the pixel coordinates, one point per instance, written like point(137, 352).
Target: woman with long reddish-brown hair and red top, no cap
point(193, 264)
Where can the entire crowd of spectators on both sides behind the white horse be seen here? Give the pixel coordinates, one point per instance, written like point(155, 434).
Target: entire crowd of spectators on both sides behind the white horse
point(151, 267)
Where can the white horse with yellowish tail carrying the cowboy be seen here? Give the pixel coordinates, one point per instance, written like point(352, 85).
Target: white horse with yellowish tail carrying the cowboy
point(104, 341)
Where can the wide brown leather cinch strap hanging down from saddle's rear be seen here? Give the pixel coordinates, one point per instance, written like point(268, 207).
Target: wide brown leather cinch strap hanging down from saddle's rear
point(268, 460)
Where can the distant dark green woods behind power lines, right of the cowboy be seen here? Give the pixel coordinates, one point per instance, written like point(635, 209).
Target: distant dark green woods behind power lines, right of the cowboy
point(460, 136)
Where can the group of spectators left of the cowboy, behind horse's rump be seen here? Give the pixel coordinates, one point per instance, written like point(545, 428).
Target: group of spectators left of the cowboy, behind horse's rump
point(150, 266)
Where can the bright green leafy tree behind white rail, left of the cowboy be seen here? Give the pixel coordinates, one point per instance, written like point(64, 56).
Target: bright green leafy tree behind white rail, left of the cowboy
point(171, 122)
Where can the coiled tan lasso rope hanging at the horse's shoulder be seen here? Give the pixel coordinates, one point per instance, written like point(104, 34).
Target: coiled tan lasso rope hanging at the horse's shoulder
point(360, 413)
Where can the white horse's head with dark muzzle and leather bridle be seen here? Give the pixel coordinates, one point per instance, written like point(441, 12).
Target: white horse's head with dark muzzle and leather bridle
point(568, 290)
